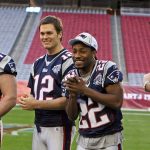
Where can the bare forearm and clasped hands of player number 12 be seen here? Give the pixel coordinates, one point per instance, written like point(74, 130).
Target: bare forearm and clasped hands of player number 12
point(30, 103)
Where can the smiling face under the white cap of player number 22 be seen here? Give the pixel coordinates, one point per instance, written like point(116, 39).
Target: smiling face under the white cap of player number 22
point(83, 56)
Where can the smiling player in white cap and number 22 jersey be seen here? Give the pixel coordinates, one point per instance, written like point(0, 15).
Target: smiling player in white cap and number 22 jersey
point(94, 93)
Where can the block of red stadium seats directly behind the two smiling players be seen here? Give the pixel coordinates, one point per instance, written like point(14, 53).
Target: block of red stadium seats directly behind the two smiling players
point(96, 24)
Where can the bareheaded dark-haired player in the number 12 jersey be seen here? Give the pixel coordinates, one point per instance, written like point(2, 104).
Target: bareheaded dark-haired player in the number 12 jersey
point(53, 130)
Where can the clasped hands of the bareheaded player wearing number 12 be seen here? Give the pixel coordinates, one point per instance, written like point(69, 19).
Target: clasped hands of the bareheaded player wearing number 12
point(28, 102)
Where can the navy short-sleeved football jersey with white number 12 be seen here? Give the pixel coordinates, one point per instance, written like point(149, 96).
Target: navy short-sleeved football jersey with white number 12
point(45, 83)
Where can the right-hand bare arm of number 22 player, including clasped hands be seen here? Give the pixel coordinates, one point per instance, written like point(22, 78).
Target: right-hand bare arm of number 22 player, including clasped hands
point(113, 97)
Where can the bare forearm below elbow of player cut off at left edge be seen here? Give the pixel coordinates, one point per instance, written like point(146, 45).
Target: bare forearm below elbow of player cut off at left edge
point(6, 104)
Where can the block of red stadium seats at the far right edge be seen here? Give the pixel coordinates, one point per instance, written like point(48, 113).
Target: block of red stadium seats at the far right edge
point(136, 40)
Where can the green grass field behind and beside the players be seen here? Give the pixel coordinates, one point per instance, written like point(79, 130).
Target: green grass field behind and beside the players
point(18, 125)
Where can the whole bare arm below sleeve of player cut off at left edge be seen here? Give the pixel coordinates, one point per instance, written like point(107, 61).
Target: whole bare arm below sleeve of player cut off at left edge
point(8, 88)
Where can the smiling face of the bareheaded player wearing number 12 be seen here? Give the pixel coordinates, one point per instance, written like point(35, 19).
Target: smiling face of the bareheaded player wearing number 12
point(51, 40)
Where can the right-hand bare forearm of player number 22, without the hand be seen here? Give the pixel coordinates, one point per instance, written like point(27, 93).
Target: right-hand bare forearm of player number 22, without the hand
point(110, 100)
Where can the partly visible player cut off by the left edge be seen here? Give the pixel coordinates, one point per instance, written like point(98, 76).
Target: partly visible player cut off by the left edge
point(8, 87)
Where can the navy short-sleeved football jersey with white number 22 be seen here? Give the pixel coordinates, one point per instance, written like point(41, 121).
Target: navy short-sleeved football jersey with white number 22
point(96, 119)
